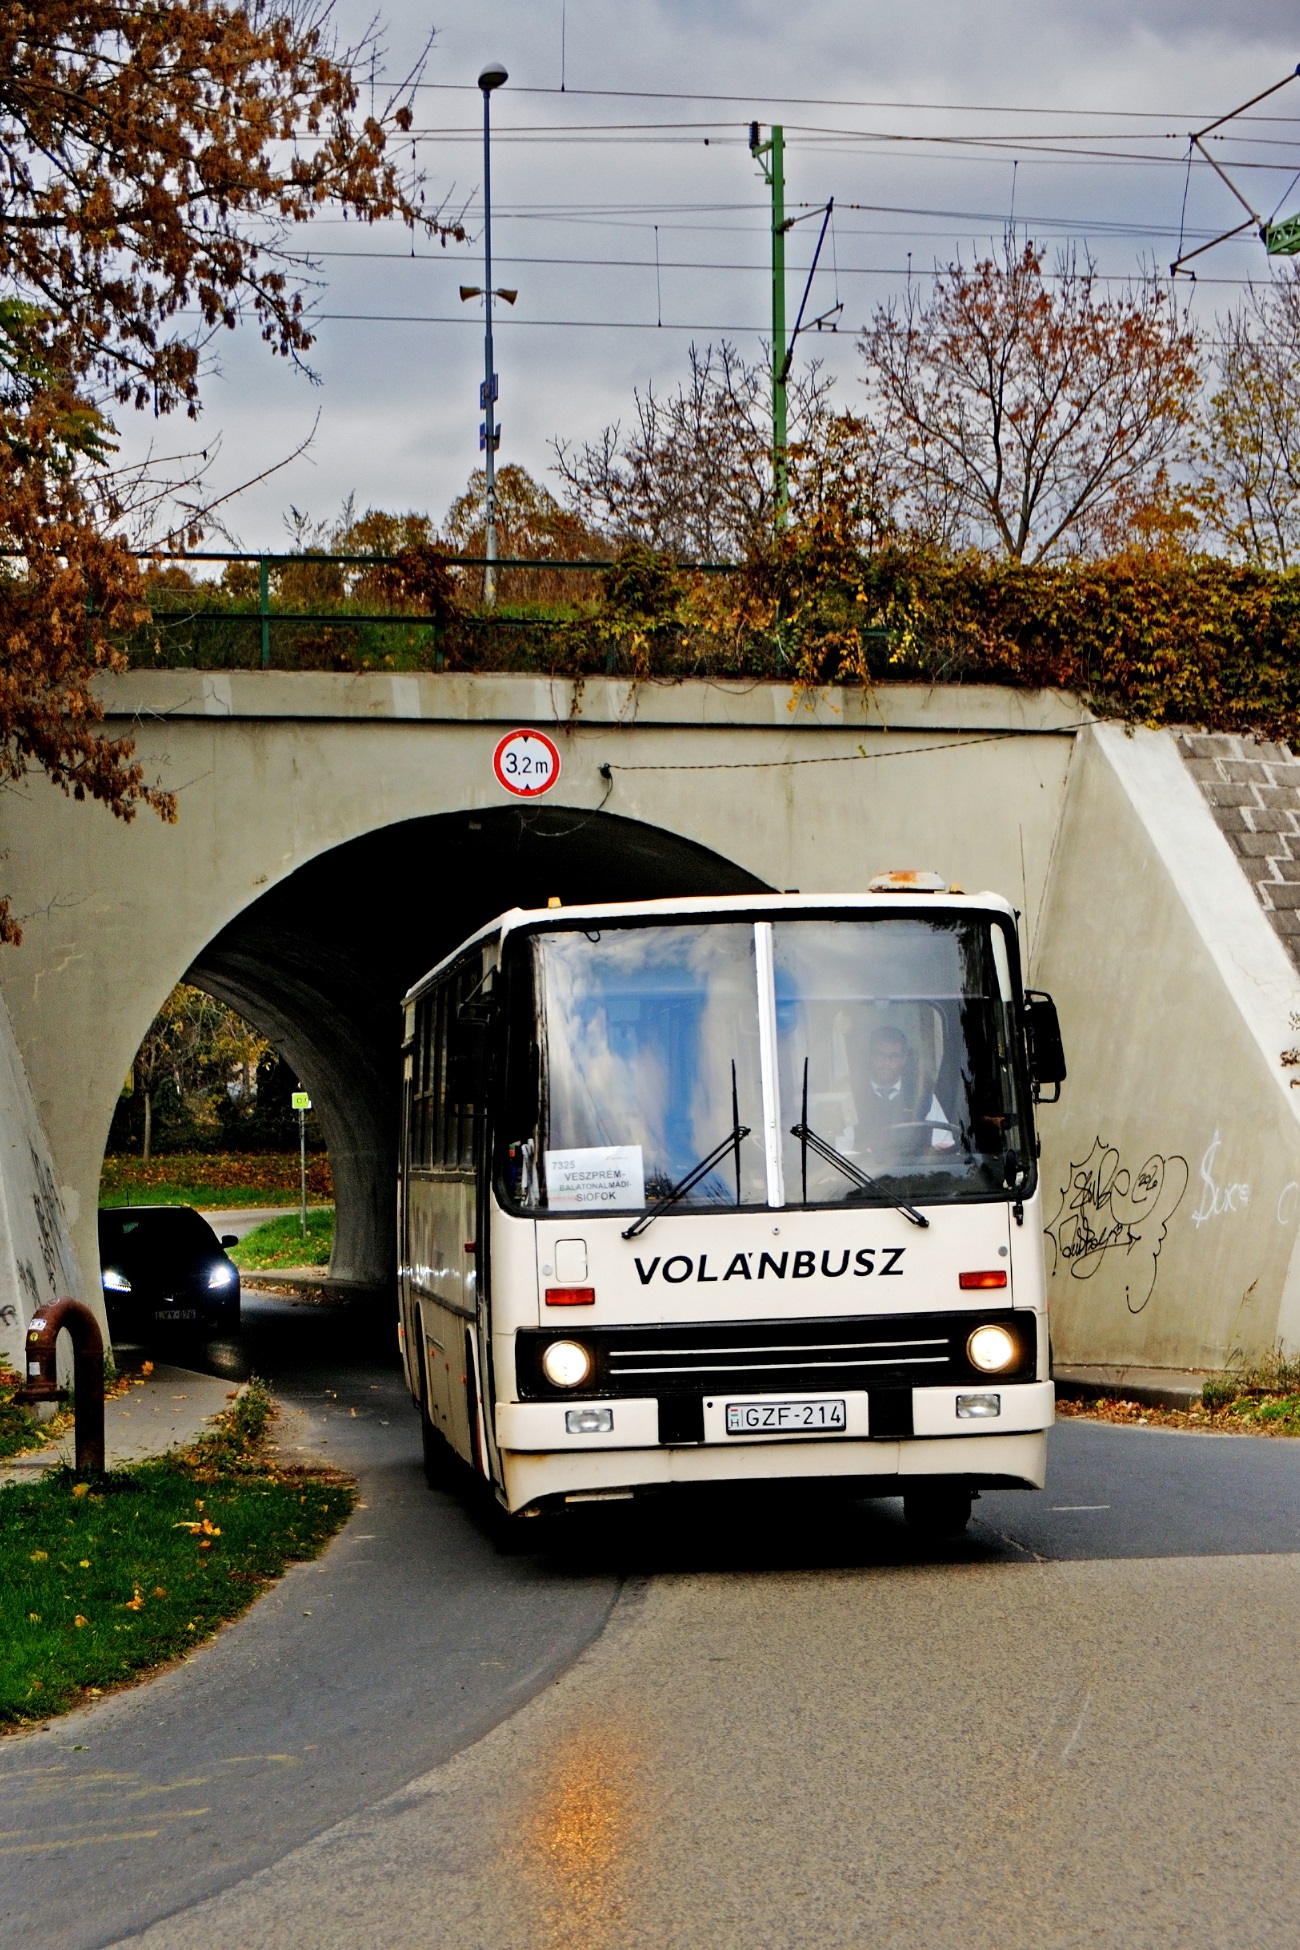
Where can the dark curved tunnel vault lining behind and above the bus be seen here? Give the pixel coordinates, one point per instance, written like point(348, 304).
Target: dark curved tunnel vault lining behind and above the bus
point(321, 964)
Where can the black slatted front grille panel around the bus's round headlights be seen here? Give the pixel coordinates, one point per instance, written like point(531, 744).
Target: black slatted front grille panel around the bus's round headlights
point(777, 1356)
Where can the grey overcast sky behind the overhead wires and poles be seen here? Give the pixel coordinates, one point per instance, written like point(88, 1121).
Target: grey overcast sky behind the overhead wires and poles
point(1077, 114)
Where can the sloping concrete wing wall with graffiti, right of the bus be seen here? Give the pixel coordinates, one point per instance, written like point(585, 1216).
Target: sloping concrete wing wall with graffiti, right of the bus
point(1172, 1165)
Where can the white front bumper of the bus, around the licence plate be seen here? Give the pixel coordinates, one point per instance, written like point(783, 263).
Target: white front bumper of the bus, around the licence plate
point(543, 1462)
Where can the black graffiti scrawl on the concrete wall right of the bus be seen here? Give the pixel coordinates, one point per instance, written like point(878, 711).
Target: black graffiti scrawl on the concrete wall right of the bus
point(1112, 1214)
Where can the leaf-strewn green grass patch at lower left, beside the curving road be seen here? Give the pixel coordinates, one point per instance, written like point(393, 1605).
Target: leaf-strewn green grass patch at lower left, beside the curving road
point(106, 1580)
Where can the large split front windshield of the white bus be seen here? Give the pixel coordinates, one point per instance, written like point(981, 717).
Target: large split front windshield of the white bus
point(882, 1050)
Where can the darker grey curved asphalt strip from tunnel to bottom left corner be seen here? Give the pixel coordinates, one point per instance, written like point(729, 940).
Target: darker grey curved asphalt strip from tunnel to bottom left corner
point(404, 1643)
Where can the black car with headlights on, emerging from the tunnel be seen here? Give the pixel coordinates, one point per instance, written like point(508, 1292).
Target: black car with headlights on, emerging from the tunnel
point(165, 1272)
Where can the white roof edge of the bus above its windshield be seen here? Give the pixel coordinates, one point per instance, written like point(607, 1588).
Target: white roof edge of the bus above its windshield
point(716, 908)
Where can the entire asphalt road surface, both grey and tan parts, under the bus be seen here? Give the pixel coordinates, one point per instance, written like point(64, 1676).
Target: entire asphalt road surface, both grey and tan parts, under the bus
point(759, 1727)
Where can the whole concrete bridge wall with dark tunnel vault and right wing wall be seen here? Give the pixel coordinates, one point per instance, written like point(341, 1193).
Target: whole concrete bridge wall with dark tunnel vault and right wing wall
point(340, 834)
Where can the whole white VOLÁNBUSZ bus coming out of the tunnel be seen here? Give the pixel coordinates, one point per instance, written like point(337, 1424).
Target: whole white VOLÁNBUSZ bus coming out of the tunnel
point(732, 1190)
